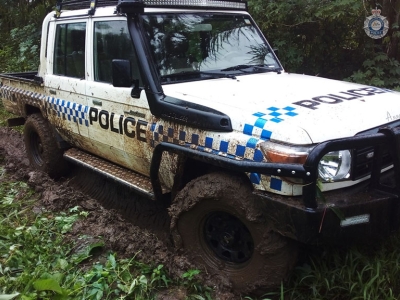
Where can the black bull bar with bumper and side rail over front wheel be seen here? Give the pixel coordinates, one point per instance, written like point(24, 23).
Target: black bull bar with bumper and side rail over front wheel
point(363, 211)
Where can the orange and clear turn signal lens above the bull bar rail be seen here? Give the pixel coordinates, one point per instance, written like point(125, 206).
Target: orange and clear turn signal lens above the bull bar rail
point(280, 153)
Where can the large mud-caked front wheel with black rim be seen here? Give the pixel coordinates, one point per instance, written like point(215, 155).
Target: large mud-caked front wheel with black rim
point(220, 227)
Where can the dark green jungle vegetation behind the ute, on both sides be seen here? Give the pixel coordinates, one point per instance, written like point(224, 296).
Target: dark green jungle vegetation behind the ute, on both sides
point(316, 37)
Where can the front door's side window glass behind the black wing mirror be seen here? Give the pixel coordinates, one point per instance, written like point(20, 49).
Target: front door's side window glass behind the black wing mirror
point(112, 41)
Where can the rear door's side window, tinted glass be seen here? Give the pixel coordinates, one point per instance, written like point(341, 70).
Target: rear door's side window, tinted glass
point(69, 52)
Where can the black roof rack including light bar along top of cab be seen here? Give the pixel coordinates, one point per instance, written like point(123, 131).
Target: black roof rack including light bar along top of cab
point(130, 6)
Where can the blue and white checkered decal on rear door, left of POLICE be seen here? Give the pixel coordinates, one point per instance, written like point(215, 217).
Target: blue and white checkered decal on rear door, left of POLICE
point(70, 111)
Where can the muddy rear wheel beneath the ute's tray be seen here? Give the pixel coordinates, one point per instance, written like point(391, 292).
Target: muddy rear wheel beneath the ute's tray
point(41, 147)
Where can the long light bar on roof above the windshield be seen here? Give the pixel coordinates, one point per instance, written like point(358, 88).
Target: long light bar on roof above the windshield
point(236, 5)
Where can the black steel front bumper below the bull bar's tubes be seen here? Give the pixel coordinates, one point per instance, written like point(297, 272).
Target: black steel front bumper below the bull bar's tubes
point(359, 213)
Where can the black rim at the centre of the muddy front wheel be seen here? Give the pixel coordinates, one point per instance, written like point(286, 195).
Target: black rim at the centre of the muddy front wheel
point(228, 238)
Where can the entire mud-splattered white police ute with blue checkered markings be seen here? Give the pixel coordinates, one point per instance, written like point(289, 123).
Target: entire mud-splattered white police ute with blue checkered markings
point(189, 103)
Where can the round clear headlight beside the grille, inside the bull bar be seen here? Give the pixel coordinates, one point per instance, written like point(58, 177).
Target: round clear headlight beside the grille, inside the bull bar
point(335, 166)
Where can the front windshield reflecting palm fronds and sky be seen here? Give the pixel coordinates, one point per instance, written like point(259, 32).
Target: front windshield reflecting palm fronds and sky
point(184, 44)
